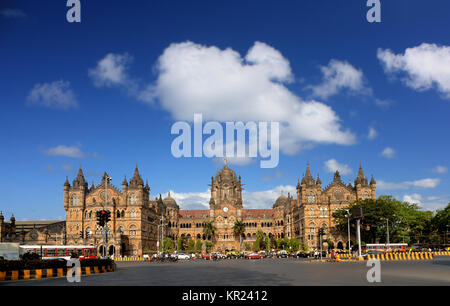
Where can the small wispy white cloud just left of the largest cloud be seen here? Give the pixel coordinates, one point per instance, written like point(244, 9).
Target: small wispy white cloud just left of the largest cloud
point(112, 70)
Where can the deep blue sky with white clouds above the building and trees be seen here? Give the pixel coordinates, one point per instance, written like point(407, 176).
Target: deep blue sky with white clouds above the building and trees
point(105, 92)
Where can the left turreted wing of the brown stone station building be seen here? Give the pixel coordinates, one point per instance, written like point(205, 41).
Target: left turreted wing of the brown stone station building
point(134, 217)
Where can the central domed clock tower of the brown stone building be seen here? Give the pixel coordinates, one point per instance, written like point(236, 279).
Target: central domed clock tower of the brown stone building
point(225, 206)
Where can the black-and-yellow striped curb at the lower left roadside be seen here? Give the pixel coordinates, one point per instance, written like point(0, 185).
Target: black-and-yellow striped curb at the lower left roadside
point(48, 273)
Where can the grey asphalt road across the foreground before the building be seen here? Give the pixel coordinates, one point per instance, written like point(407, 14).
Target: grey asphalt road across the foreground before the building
point(265, 272)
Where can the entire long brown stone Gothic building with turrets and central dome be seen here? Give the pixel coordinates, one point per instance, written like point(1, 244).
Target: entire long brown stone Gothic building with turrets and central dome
point(138, 223)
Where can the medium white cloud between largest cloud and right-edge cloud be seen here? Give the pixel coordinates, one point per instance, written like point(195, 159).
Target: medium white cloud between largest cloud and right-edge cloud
point(337, 76)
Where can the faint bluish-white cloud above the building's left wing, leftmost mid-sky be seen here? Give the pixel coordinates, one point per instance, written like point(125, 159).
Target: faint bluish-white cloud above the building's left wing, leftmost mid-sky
point(56, 95)
